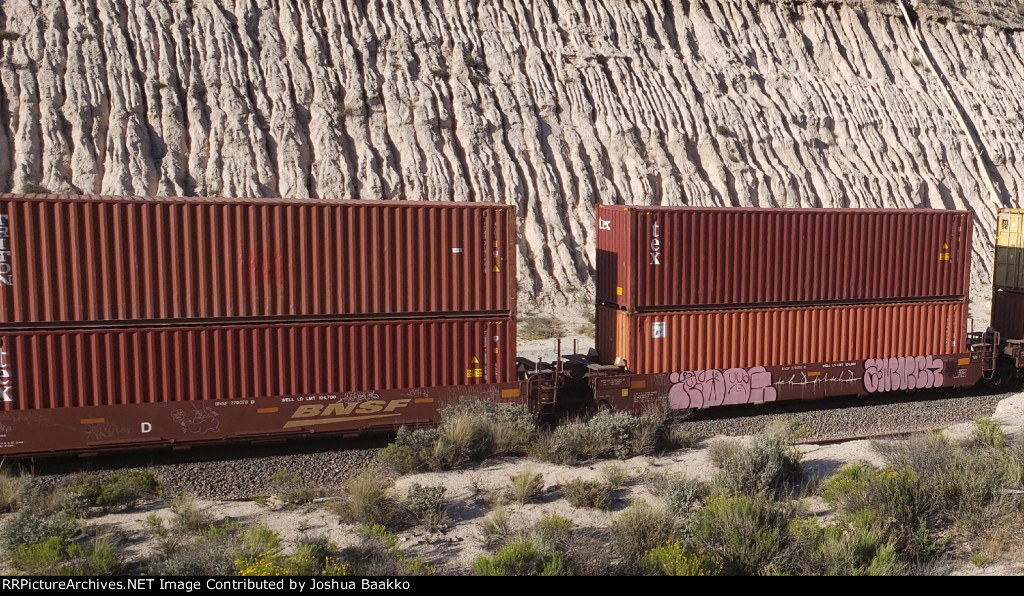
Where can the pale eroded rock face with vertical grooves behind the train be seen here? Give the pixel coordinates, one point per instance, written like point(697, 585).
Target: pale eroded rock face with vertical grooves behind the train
point(553, 106)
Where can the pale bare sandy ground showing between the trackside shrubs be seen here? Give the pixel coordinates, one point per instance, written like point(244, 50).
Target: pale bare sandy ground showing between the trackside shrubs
point(454, 549)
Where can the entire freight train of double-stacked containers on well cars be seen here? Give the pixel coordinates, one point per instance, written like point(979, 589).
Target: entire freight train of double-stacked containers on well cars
point(166, 323)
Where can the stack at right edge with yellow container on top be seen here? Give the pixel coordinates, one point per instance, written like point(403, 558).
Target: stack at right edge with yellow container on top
point(1008, 280)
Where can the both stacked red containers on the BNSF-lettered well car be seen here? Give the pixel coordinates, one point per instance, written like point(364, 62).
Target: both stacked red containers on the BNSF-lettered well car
point(109, 301)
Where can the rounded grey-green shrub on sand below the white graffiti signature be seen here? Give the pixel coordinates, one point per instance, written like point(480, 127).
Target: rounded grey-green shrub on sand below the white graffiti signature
point(767, 464)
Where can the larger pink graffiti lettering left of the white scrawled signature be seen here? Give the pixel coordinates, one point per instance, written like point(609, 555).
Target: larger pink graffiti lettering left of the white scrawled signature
point(700, 390)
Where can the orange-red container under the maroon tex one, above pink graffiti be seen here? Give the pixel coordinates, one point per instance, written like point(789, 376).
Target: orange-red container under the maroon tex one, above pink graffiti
point(673, 342)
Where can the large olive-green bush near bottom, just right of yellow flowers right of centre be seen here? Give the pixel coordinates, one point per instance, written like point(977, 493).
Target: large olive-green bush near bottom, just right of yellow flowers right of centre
point(750, 534)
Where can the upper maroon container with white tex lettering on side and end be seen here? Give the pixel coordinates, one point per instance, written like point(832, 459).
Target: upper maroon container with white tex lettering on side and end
point(661, 259)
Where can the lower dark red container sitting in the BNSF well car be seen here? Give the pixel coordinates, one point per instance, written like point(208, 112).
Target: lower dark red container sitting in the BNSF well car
point(79, 368)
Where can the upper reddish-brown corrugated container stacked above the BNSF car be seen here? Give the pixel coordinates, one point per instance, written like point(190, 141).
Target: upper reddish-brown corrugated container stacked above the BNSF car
point(106, 261)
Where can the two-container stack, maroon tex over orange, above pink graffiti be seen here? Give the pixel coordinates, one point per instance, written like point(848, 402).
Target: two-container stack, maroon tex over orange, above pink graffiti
point(691, 289)
